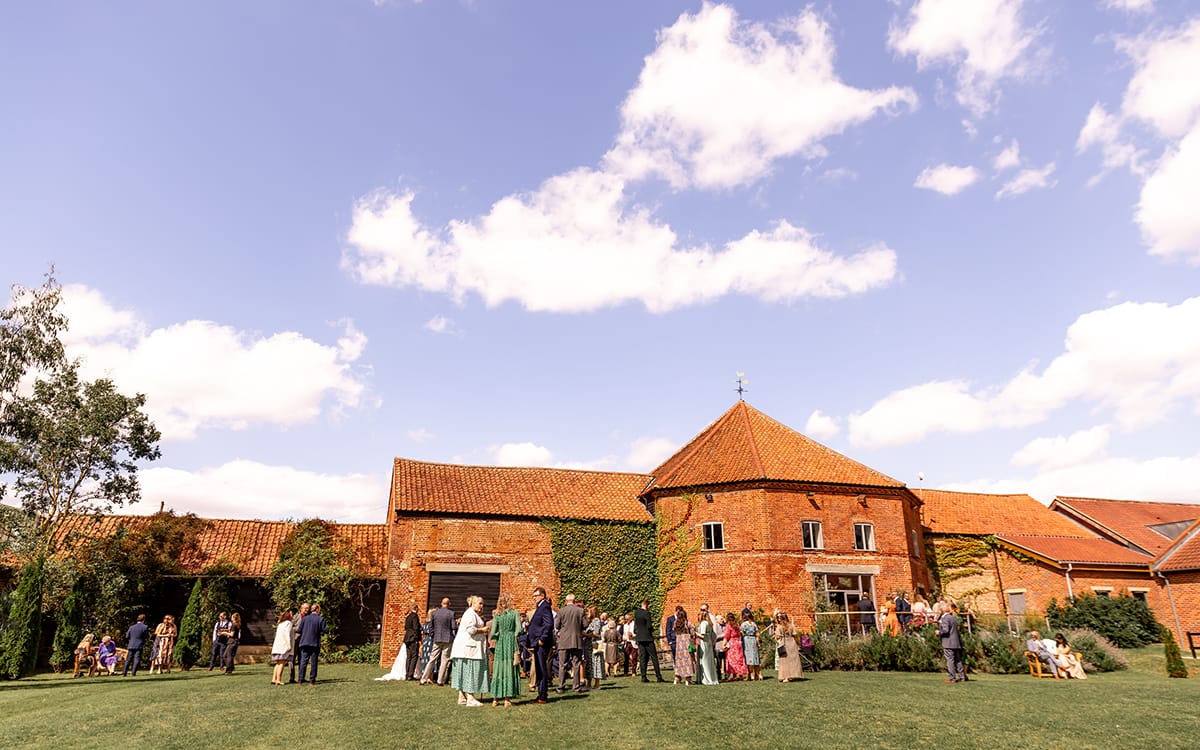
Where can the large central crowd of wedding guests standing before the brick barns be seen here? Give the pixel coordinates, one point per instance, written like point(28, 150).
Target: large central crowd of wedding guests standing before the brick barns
point(577, 646)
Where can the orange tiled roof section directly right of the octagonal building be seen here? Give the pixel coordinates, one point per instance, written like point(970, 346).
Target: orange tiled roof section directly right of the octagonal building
point(975, 513)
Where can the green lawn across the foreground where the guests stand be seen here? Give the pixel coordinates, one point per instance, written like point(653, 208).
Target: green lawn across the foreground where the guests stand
point(1137, 709)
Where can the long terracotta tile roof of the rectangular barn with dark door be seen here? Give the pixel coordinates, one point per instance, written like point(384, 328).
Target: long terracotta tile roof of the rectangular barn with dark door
point(419, 487)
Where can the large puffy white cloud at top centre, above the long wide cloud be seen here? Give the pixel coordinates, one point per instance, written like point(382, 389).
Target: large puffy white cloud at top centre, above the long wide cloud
point(721, 100)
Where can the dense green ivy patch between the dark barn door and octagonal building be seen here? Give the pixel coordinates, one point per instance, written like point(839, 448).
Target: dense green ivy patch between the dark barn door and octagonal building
point(610, 563)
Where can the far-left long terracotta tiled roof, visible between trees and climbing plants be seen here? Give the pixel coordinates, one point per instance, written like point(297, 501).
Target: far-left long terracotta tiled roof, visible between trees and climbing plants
point(251, 547)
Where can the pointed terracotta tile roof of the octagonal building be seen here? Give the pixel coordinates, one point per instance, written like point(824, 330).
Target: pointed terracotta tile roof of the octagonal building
point(745, 445)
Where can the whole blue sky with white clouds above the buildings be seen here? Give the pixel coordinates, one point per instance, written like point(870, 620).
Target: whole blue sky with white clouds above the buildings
point(943, 238)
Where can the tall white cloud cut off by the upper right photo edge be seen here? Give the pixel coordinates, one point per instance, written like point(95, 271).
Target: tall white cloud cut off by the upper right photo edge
point(1162, 98)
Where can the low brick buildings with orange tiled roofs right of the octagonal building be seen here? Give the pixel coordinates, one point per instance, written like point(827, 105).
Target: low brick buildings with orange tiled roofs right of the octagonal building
point(1076, 547)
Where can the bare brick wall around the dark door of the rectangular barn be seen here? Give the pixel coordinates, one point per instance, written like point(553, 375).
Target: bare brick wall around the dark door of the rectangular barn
point(520, 548)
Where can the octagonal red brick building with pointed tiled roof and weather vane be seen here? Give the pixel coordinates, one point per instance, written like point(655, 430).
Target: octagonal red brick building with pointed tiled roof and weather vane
point(784, 520)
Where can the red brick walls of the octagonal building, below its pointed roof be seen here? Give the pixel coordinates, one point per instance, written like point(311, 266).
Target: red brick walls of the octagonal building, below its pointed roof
point(764, 560)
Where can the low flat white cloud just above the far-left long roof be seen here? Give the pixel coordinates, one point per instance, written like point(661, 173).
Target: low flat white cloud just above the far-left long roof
point(251, 490)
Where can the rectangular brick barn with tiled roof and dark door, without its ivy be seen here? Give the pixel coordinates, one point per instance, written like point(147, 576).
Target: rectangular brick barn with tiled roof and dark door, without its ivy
point(455, 531)
